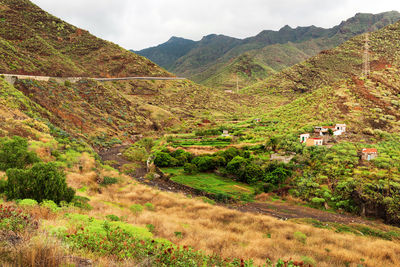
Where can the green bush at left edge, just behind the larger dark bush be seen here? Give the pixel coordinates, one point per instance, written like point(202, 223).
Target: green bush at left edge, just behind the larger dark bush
point(14, 153)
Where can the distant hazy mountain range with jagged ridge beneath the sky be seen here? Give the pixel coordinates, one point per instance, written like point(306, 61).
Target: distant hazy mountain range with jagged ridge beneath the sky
point(213, 60)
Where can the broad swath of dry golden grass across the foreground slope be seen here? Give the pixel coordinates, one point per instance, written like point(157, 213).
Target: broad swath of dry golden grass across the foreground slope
point(231, 233)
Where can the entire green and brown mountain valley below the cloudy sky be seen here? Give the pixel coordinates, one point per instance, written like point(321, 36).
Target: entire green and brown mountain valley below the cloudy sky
point(299, 166)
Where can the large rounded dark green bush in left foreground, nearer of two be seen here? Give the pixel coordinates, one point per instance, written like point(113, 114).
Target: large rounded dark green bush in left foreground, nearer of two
point(44, 181)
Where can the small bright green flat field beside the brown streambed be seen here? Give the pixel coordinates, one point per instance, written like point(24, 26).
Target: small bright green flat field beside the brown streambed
point(212, 183)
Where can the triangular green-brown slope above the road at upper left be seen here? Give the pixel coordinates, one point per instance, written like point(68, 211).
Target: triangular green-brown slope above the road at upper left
point(35, 42)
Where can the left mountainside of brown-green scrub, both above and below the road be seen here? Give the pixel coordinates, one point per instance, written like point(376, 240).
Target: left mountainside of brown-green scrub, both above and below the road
point(34, 42)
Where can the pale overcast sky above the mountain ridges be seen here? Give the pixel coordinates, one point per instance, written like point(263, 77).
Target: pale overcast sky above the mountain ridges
point(138, 24)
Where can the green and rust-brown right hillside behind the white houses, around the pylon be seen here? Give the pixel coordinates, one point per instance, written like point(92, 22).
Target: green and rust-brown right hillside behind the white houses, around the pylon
point(329, 87)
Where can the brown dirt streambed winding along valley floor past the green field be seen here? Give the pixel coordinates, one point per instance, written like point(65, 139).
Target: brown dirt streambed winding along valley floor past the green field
point(277, 209)
